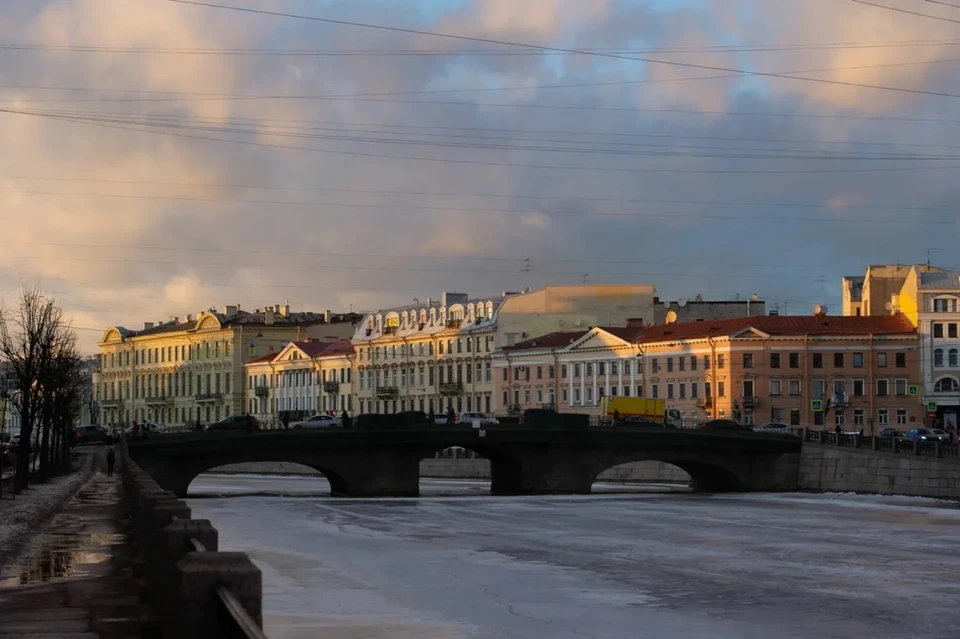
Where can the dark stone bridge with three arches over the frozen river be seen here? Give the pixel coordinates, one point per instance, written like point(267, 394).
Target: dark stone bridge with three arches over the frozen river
point(523, 461)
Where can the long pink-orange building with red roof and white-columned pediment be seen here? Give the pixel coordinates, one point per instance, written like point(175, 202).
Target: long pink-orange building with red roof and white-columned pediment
point(863, 372)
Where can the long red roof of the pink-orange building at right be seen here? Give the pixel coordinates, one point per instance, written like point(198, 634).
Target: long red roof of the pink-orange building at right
point(781, 325)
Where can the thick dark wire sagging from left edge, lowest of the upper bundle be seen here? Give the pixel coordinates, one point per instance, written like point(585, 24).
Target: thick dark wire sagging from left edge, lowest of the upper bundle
point(94, 122)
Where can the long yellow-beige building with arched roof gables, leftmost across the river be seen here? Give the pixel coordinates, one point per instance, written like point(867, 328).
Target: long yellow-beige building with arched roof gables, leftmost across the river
point(191, 369)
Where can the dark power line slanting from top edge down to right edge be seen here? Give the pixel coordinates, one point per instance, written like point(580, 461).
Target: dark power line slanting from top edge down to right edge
point(688, 65)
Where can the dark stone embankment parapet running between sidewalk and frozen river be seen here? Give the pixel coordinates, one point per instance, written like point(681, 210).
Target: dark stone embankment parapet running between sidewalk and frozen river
point(193, 589)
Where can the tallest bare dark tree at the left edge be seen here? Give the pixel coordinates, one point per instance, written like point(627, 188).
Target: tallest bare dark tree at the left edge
point(40, 350)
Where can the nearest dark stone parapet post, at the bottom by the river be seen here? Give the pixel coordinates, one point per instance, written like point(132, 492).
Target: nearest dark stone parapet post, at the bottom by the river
point(199, 610)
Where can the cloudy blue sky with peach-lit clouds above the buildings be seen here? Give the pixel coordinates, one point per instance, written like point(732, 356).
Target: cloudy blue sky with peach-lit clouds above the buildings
point(162, 158)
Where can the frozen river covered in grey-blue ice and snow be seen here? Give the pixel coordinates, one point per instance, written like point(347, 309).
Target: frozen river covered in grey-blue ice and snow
point(619, 565)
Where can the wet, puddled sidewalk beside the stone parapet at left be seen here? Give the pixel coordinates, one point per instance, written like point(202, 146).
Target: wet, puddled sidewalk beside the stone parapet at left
point(74, 580)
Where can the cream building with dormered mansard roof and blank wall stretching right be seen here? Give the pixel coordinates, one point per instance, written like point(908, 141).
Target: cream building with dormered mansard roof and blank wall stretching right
point(437, 355)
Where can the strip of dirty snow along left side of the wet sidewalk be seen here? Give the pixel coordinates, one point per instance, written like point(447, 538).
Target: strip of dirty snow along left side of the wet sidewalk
point(24, 516)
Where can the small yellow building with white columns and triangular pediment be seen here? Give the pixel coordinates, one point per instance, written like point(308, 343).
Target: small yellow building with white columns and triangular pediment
point(303, 379)
